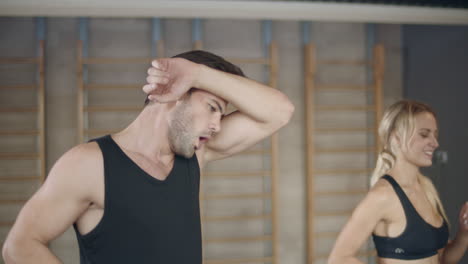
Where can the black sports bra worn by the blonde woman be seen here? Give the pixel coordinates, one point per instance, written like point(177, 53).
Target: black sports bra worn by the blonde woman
point(418, 240)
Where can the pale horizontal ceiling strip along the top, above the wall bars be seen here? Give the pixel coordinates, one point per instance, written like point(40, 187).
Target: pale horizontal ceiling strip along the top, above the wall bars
point(235, 9)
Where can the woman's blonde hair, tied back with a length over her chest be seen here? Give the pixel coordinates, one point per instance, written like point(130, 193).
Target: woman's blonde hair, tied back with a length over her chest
point(398, 121)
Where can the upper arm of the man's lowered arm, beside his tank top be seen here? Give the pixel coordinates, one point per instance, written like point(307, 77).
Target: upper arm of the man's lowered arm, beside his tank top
point(56, 205)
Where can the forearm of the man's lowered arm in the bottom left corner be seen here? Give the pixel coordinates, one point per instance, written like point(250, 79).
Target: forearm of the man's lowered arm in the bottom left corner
point(28, 252)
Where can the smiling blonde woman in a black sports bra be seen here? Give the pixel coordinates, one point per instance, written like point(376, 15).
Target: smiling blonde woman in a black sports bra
point(402, 210)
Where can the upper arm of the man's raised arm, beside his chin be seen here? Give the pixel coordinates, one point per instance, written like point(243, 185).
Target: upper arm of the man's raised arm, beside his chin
point(238, 133)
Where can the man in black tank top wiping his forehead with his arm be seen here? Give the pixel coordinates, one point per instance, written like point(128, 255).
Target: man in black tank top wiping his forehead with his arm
point(133, 196)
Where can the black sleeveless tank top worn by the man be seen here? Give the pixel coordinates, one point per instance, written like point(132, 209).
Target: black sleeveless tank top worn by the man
point(145, 220)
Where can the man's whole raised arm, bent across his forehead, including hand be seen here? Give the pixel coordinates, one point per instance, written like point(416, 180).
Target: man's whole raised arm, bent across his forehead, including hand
point(261, 110)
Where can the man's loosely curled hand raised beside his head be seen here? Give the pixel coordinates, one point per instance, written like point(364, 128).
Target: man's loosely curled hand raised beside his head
point(169, 79)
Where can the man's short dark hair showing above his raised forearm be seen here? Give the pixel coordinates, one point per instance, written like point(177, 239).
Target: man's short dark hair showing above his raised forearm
point(209, 59)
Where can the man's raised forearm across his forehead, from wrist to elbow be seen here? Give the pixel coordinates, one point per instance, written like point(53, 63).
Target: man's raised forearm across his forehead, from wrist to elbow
point(254, 99)
